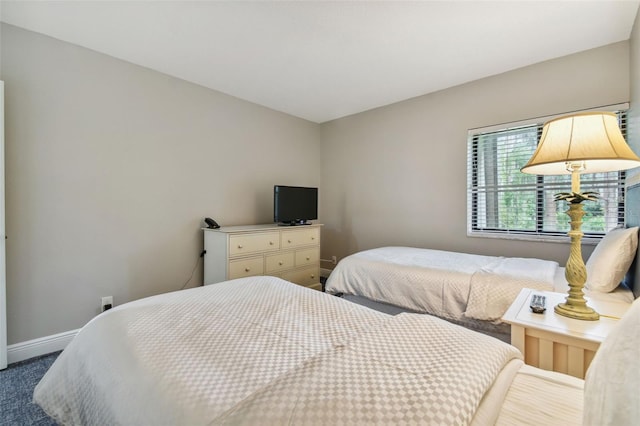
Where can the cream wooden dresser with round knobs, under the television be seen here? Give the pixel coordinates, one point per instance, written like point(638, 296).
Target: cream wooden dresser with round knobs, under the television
point(288, 252)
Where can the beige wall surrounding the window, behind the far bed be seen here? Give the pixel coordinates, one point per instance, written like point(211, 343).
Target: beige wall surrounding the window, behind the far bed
point(397, 175)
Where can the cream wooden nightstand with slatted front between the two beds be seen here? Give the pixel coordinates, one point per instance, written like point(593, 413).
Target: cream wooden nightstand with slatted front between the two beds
point(557, 343)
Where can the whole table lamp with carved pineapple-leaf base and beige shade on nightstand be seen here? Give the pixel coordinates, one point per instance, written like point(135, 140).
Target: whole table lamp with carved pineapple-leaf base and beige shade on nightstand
point(589, 142)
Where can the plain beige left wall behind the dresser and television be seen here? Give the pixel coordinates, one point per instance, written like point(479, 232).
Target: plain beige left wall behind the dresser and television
point(111, 168)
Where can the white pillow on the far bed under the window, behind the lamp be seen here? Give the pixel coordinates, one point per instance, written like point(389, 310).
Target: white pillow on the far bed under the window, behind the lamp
point(611, 259)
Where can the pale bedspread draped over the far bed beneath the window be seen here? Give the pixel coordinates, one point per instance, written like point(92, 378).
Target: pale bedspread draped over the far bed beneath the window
point(448, 284)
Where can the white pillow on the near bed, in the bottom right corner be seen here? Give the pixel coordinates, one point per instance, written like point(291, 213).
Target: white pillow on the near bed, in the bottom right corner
point(611, 387)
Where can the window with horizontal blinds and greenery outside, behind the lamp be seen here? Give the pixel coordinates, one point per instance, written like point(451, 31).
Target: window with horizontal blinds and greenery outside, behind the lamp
point(504, 202)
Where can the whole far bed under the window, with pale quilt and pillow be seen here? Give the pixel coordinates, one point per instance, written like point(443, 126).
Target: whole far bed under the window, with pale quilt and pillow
point(469, 289)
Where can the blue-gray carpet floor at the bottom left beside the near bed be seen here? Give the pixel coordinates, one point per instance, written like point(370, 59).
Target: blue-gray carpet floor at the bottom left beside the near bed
point(17, 382)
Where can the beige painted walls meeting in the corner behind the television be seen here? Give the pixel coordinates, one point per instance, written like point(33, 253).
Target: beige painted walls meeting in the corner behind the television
point(111, 168)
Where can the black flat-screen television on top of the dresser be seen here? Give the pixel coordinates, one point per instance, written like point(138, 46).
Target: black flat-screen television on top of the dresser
point(294, 205)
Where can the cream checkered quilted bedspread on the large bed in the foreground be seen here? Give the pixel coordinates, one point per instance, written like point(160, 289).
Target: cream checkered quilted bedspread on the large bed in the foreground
point(264, 351)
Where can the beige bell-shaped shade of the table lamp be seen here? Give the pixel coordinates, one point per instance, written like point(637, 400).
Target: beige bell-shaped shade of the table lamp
point(592, 138)
